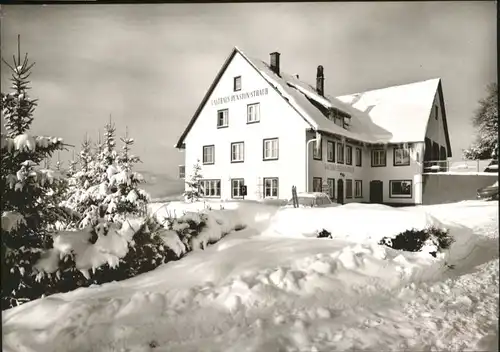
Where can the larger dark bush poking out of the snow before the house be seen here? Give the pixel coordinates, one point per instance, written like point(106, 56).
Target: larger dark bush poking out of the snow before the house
point(431, 240)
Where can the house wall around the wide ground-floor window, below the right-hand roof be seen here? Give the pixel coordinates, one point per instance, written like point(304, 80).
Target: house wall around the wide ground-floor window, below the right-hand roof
point(412, 172)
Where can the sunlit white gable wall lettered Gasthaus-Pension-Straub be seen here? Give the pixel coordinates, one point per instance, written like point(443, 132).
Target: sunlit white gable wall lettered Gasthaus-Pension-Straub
point(277, 119)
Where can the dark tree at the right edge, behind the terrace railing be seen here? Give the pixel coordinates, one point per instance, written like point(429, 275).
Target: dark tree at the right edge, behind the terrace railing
point(485, 121)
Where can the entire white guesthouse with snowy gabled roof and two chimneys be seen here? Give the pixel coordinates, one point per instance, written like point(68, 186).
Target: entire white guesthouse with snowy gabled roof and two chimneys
point(258, 126)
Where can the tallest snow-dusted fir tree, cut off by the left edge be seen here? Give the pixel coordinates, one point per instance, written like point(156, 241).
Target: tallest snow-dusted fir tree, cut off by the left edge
point(28, 205)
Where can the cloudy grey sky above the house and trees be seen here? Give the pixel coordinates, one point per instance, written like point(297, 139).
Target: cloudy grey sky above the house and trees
point(150, 65)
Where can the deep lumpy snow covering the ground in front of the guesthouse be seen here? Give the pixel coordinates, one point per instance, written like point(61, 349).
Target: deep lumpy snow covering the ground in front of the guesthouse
point(270, 287)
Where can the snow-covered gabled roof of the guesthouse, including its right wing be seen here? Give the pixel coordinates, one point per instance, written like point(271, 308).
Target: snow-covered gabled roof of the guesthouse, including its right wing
point(381, 123)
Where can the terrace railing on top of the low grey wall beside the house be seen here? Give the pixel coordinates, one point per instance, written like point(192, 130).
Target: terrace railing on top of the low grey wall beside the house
point(461, 166)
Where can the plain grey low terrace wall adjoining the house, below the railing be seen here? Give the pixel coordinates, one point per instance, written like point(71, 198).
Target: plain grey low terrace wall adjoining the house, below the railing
point(445, 188)
